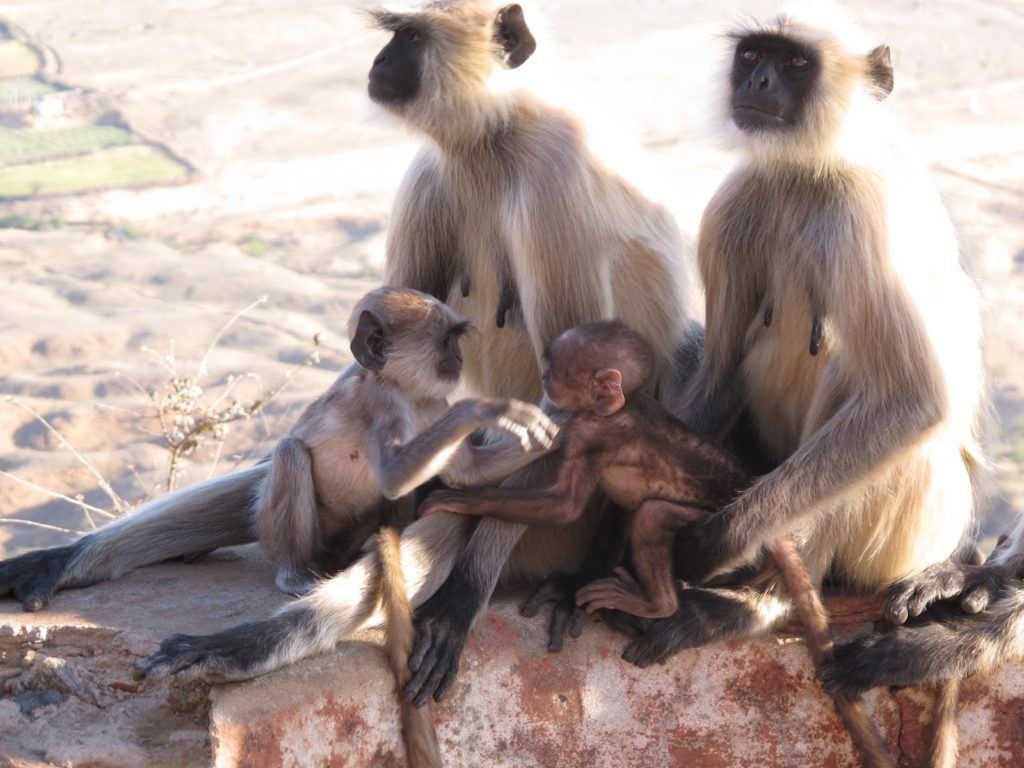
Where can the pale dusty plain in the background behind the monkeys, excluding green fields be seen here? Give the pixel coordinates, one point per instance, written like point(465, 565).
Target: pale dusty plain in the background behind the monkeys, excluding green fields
point(267, 101)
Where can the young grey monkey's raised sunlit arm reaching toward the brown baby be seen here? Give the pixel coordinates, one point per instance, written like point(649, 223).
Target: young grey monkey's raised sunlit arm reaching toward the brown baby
point(402, 467)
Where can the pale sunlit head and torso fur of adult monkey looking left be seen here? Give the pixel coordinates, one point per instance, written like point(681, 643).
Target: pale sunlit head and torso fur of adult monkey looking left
point(506, 193)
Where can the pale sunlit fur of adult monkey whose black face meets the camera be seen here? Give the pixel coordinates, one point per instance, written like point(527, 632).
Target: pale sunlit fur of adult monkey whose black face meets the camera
point(902, 369)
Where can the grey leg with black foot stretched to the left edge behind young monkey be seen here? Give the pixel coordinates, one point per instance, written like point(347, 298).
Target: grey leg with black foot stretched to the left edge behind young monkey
point(201, 518)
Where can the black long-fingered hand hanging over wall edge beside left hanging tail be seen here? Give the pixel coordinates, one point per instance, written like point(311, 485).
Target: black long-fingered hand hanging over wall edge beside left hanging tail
point(443, 626)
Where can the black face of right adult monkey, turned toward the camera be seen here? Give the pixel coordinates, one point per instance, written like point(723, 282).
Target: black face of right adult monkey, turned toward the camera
point(773, 78)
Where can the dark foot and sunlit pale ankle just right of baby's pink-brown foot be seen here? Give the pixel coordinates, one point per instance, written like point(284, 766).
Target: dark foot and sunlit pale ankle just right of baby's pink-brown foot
point(706, 616)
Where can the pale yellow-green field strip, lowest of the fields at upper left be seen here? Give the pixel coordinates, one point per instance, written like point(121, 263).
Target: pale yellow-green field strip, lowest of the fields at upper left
point(121, 166)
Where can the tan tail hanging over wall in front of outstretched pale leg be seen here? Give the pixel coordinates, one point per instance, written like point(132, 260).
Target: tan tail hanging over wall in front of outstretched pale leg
point(417, 723)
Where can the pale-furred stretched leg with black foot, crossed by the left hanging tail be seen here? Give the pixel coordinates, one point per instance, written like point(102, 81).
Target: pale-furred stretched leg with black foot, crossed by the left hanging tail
point(318, 622)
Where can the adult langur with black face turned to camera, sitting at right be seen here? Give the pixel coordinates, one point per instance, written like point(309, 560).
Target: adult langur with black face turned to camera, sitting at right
point(839, 314)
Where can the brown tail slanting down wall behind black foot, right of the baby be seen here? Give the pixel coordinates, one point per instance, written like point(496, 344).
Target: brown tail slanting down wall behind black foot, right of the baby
point(874, 751)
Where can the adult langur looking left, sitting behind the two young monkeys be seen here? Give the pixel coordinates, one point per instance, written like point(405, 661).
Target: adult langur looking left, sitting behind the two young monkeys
point(507, 216)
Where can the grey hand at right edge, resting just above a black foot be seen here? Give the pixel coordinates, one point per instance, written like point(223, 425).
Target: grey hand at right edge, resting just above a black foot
point(973, 586)
